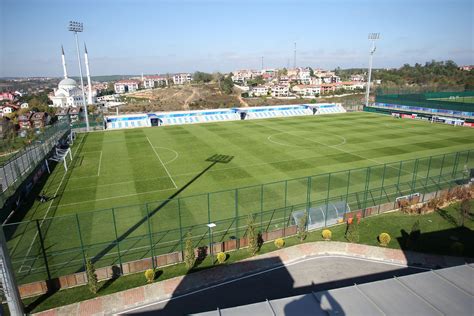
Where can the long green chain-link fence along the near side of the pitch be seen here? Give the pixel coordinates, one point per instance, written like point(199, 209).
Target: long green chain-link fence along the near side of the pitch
point(53, 247)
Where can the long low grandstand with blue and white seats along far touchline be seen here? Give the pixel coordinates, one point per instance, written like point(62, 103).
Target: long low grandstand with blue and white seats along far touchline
point(219, 115)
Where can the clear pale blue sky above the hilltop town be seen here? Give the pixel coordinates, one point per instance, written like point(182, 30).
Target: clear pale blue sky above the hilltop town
point(135, 36)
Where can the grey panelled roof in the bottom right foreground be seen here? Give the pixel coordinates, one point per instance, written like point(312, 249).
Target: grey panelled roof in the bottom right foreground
point(447, 291)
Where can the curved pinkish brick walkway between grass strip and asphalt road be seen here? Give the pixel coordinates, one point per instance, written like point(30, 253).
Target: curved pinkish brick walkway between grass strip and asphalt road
point(159, 291)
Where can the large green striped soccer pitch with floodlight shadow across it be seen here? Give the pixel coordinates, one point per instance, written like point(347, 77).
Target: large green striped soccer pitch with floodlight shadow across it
point(126, 169)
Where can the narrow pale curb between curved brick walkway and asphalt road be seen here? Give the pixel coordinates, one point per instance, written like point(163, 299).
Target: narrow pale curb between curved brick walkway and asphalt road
point(284, 265)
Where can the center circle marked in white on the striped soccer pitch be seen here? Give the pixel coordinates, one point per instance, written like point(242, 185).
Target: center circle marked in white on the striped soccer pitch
point(306, 139)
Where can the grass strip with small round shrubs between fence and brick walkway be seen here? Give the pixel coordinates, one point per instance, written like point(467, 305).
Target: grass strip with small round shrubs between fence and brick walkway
point(438, 231)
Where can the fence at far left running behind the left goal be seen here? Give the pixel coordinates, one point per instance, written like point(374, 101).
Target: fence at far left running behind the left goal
point(19, 166)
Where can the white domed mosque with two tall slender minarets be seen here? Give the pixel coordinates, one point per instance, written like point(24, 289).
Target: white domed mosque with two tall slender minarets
point(69, 93)
